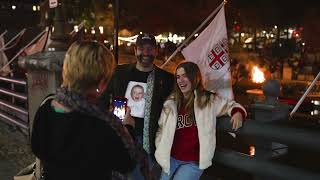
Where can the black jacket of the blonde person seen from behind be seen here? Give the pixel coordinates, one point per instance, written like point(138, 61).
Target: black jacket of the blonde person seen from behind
point(77, 146)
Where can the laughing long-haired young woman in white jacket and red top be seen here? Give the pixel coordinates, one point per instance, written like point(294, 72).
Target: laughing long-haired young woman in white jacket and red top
point(186, 138)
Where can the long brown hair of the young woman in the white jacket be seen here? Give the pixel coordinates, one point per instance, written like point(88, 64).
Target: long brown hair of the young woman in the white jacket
point(194, 75)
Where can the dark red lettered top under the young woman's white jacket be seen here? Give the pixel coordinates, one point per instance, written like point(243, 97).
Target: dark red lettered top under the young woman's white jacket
point(185, 145)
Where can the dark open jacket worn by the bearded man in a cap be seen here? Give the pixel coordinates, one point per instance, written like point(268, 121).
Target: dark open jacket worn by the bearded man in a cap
point(163, 85)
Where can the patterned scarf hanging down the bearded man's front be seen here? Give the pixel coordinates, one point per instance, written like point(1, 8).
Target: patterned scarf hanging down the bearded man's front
point(147, 111)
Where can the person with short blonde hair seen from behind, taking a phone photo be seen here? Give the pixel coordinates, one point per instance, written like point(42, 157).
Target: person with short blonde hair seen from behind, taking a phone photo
point(71, 136)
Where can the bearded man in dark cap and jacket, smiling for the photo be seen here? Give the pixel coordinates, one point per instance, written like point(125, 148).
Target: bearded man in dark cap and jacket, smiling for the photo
point(158, 85)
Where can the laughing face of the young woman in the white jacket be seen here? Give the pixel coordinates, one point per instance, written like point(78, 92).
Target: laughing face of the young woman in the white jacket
point(183, 81)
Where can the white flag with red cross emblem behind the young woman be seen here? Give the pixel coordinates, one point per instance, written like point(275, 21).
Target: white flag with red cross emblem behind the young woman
point(210, 52)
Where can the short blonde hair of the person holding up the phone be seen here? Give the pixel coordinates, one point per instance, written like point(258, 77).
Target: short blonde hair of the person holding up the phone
point(86, 63)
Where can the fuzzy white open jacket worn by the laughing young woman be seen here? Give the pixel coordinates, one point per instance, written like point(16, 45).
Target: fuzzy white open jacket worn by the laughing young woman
point(206, 124)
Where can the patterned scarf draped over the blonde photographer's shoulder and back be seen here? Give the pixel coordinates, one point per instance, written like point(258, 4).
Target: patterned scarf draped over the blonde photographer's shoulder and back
point(77, 102)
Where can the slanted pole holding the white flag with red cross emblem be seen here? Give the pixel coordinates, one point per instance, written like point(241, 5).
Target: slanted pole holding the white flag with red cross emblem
point(193, 33)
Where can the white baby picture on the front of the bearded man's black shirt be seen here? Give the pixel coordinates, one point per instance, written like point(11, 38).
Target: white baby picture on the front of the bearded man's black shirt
point(135, 94)
